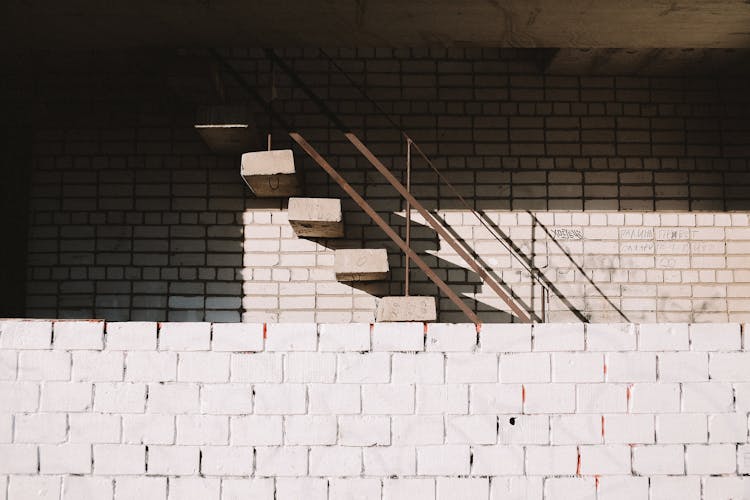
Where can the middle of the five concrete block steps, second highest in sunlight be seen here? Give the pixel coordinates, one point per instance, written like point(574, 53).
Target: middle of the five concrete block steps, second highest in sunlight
point(316, 217)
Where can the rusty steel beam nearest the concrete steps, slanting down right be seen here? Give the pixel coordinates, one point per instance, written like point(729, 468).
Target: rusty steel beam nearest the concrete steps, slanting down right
point(384, 225)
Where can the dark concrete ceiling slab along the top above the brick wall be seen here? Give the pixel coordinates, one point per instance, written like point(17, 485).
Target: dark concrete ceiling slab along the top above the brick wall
point(82, 24)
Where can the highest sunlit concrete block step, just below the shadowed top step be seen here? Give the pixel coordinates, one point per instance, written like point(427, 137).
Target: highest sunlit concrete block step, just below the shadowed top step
point(271, 174)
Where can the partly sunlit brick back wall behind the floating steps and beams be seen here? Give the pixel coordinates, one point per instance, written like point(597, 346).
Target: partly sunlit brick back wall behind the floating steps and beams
point(628, 194)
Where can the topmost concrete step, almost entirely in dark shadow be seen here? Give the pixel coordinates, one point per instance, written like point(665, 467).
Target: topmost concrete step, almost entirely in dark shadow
point(227, 129)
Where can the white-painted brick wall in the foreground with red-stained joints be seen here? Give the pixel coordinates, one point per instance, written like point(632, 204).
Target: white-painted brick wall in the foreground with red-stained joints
point(637, 412)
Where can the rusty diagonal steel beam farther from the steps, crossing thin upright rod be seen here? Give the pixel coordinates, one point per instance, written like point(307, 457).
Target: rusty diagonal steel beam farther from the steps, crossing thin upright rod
point(438, 227)
